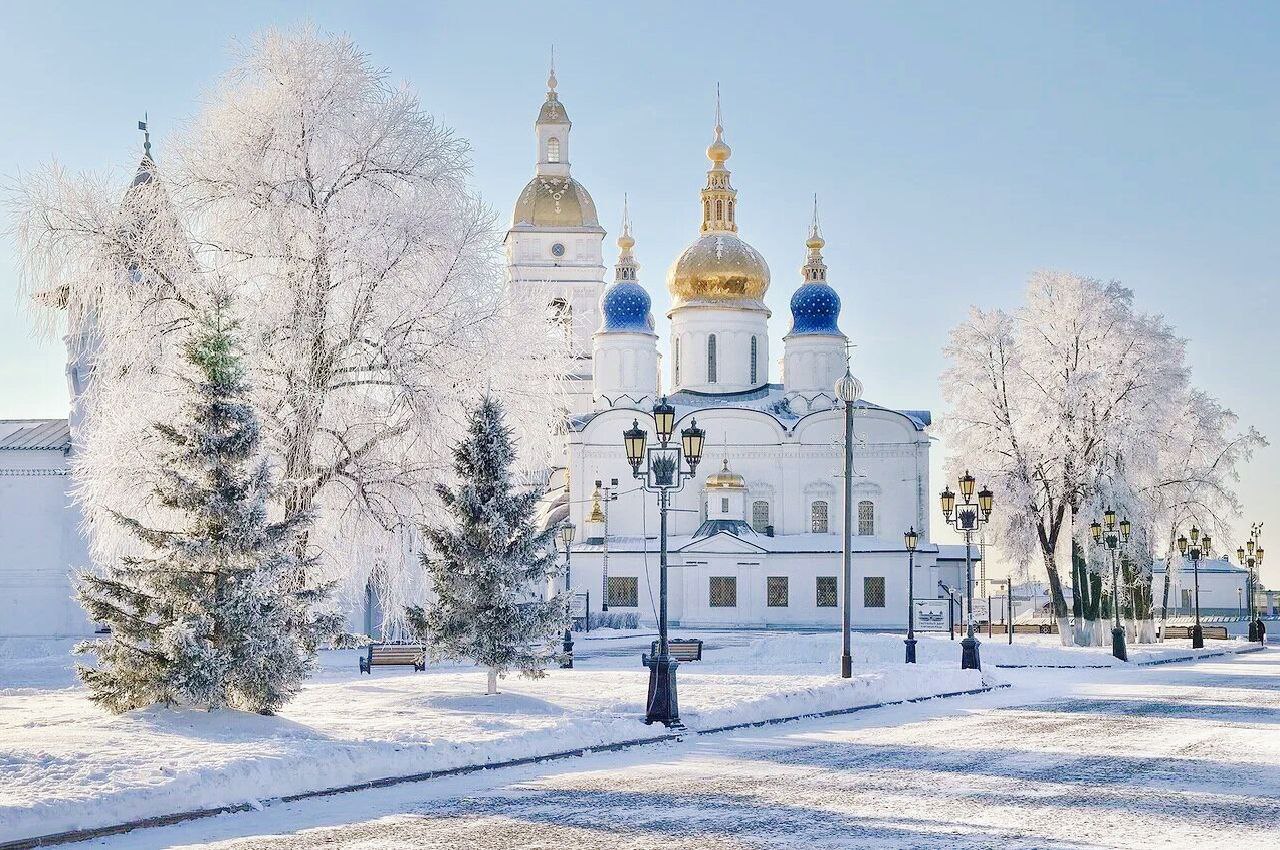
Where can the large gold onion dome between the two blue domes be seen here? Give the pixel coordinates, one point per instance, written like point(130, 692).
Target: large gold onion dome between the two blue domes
point(719, 268)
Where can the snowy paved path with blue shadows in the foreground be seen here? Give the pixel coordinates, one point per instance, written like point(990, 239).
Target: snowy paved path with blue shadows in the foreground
point(1182, 756)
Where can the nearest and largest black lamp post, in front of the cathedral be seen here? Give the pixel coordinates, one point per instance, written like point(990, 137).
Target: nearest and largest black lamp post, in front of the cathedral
point(662, 470)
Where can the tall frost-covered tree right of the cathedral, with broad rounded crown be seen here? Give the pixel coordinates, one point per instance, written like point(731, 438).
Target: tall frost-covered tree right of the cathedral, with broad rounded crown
point(1059, 405)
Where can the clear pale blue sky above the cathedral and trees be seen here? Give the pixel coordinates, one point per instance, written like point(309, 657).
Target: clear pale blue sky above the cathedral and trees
point(956, 149)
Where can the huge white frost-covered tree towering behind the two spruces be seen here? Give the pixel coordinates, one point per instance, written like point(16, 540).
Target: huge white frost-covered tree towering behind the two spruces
point(340, 216)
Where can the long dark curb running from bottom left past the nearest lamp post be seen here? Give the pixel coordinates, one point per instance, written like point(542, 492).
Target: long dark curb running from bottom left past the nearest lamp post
point(196, 815)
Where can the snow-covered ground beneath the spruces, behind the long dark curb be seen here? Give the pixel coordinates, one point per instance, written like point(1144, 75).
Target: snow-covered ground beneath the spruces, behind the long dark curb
point(65, 765)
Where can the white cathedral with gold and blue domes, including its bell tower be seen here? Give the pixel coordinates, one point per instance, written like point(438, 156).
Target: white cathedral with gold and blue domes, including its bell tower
point(756, 537)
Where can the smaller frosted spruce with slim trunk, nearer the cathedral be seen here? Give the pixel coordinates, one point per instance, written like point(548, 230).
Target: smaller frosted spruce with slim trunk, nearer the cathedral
point(488, 568)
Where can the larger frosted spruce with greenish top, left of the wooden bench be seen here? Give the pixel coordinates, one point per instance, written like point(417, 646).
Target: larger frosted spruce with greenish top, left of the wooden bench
point(211, 616)
